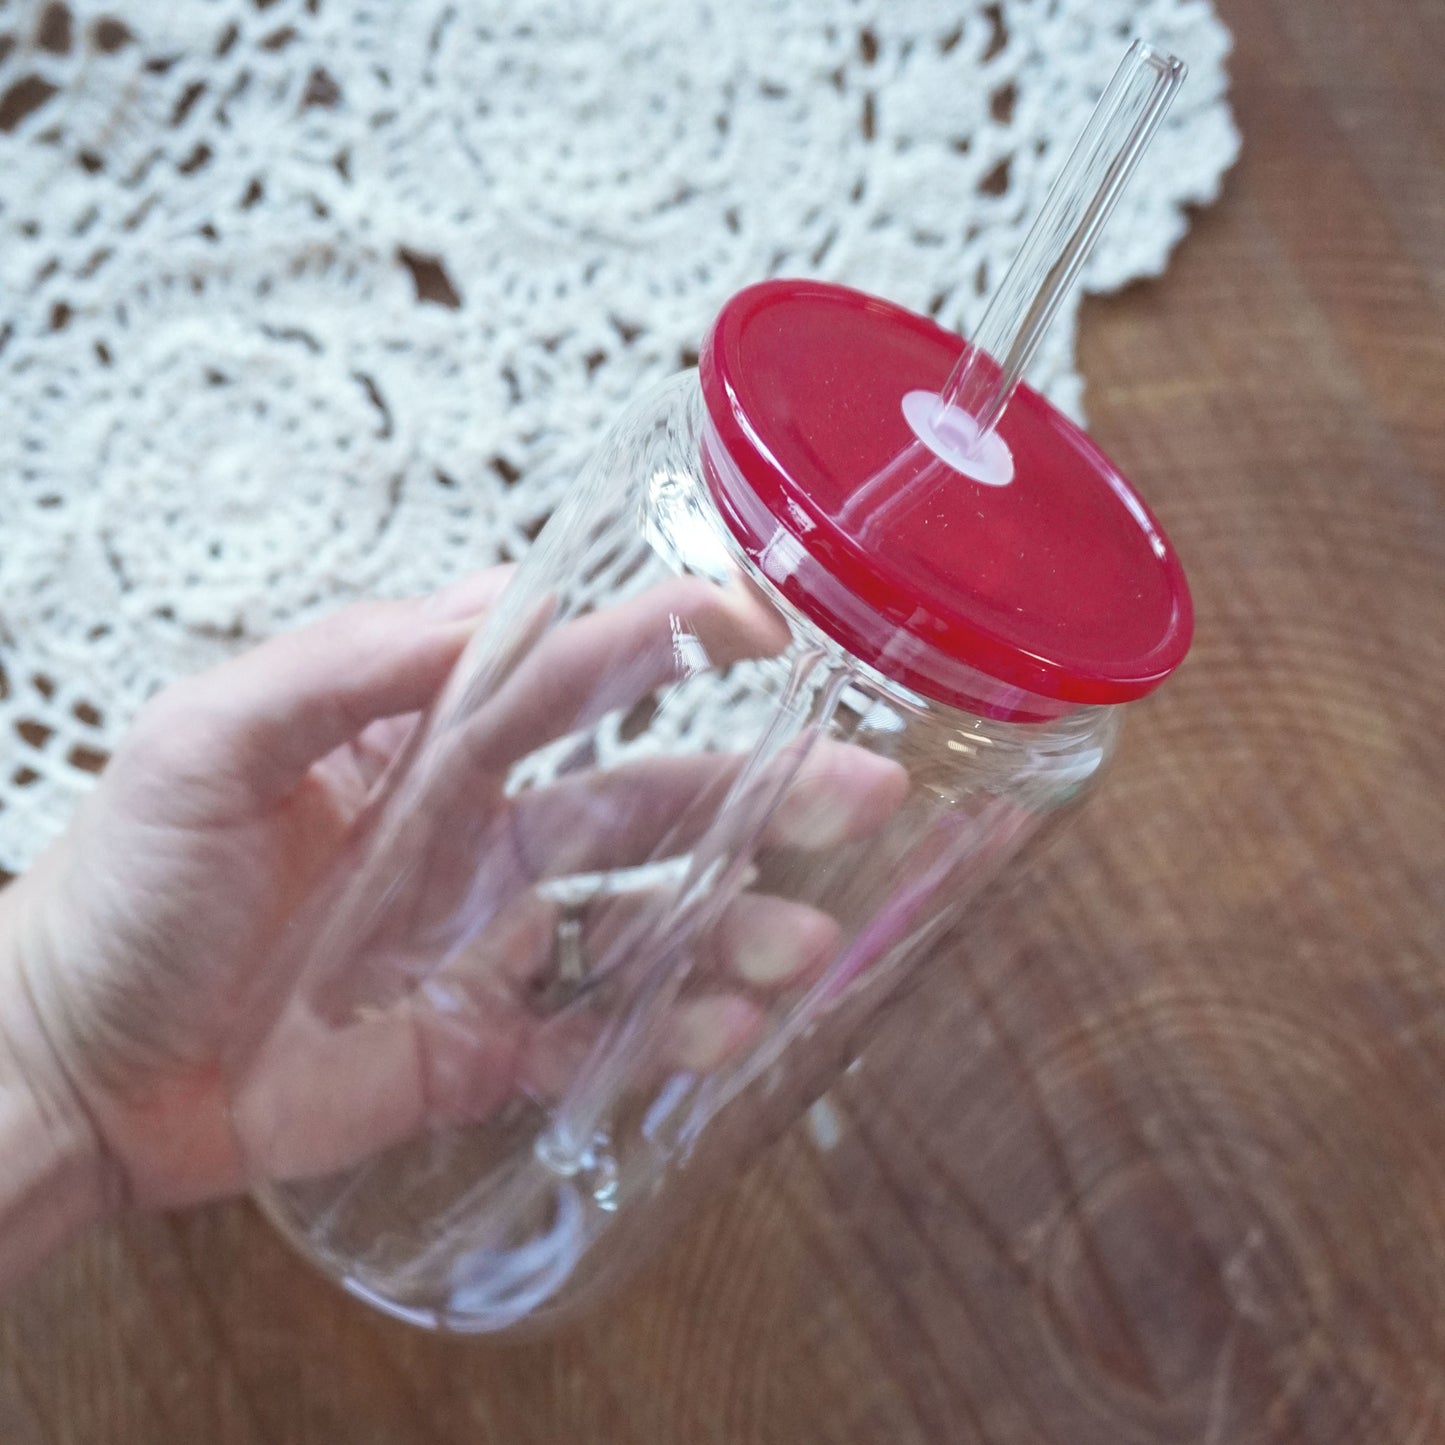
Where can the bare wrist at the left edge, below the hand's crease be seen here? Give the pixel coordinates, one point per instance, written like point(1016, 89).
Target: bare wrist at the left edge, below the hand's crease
point(53, 1170)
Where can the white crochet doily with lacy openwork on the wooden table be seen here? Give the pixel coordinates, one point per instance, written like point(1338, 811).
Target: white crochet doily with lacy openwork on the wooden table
point(303, 300)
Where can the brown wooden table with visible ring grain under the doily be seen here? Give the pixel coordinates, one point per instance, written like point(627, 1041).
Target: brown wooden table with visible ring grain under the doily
point(1161, 1154)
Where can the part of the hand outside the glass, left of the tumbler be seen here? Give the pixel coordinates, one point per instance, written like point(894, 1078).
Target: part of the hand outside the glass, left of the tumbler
point(125, 949)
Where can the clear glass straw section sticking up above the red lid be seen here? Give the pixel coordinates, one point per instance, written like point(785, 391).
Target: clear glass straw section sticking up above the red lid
point(1080, 203)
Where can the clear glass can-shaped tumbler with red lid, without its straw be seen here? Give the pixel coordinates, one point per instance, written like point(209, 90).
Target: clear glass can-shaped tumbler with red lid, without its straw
point(777, 693)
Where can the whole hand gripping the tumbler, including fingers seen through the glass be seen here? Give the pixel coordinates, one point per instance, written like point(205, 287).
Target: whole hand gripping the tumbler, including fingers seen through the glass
point(135, 944)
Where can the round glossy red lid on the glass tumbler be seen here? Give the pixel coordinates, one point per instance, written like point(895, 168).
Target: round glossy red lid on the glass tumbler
point(1060, 585)
